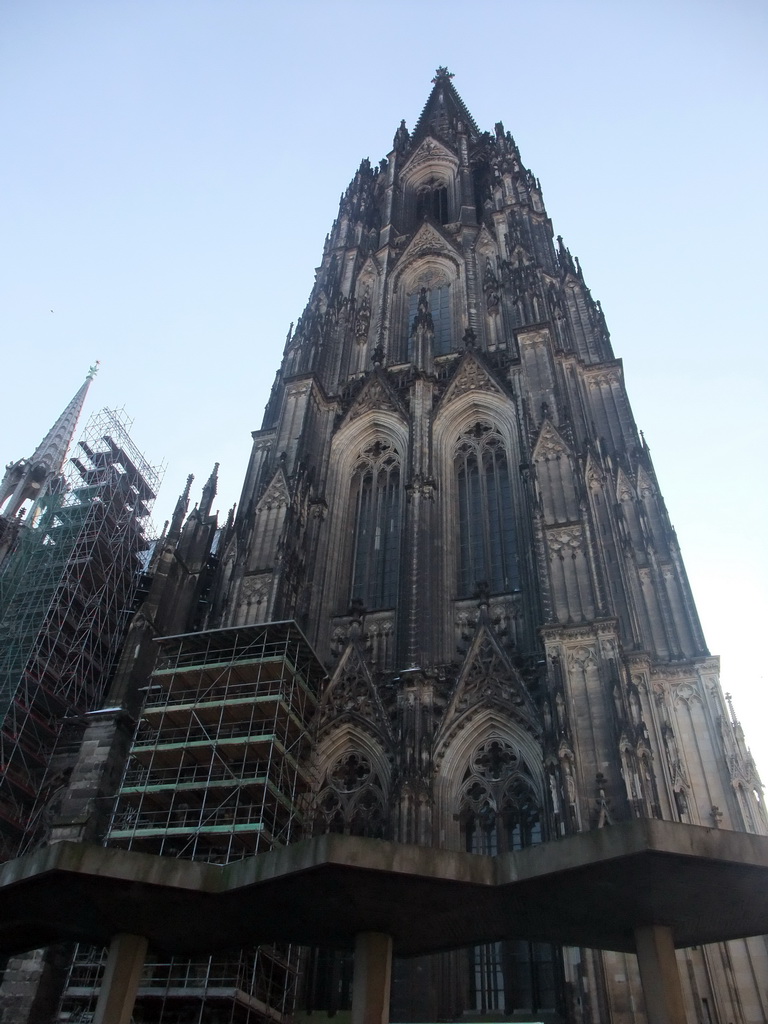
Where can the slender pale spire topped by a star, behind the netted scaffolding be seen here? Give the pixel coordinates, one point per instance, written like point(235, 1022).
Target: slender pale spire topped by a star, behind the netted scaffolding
point(33, 478)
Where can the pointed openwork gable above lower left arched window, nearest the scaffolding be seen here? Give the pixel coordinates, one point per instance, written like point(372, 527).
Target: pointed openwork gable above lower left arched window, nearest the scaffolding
point(352, 699)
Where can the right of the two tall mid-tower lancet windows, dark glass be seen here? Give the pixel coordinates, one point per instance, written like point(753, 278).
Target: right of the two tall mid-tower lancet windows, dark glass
point(488, 548)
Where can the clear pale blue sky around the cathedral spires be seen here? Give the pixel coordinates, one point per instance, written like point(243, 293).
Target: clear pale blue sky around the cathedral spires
point(170, 169)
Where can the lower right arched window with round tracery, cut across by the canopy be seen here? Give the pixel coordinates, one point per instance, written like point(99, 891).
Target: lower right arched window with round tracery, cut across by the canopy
point(500, 812)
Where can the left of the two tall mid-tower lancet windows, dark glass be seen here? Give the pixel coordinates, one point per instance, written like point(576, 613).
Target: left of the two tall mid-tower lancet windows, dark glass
point(377, 498)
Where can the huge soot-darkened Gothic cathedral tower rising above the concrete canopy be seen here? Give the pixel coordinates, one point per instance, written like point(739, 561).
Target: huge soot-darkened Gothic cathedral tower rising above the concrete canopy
point(451, 497)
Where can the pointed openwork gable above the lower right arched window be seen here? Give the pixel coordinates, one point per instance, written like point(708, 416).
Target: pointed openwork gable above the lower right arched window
point(488, 679)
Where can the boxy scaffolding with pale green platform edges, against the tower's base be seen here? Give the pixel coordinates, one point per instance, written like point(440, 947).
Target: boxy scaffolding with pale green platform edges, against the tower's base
point(218, 773)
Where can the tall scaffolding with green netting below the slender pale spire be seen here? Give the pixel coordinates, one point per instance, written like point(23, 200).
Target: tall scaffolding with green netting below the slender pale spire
point(66, 598)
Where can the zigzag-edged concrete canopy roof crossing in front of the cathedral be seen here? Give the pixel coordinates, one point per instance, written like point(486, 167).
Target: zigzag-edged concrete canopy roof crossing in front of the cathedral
point(593, 890)
